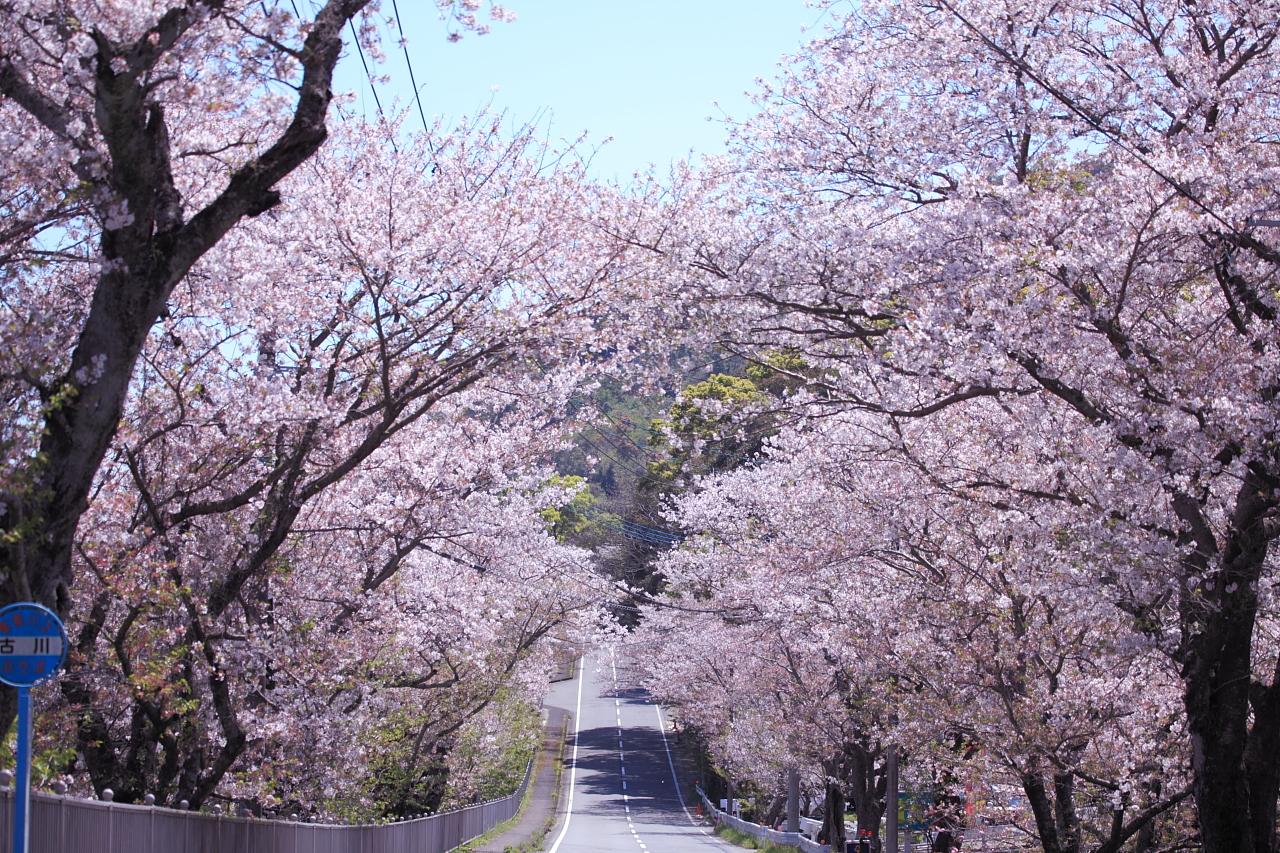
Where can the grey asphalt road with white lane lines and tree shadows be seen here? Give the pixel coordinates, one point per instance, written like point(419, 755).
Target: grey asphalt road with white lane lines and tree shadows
point(624, 796)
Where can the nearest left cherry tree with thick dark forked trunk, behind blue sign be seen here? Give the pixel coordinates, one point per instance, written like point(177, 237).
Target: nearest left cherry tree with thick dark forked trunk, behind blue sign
point(138, 136)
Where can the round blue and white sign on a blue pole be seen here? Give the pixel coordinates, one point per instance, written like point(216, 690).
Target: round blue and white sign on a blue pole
point(33, 650)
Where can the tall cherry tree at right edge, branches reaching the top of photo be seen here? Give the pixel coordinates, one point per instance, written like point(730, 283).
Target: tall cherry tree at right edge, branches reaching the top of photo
point(1064, 204)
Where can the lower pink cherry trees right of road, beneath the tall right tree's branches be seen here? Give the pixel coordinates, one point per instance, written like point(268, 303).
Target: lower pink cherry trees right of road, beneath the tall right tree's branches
point(872, 600)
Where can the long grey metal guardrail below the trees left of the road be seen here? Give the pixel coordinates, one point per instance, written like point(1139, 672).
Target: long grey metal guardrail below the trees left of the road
point(71, 825)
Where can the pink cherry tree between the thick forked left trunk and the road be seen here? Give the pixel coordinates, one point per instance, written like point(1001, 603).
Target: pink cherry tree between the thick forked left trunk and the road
point(326, 499)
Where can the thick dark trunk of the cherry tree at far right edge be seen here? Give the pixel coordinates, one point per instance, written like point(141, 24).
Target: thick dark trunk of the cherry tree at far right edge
point(1235, 788)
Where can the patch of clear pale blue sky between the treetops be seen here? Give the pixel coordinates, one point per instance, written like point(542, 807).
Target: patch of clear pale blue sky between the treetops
point(648, 75)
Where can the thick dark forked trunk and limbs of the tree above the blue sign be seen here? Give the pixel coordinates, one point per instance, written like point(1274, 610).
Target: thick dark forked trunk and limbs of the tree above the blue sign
point(145, 259)
